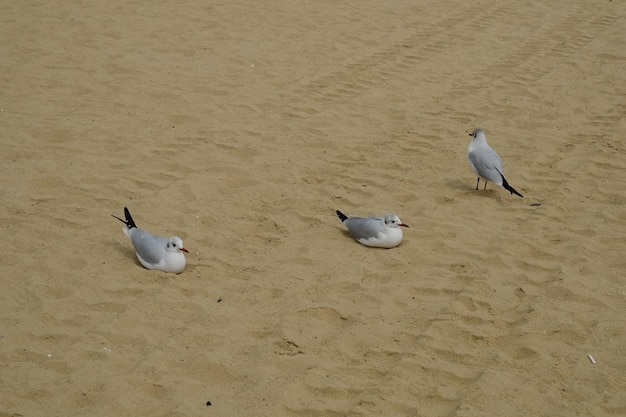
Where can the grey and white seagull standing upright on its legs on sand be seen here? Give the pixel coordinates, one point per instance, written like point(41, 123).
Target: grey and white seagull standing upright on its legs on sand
point(486, 163)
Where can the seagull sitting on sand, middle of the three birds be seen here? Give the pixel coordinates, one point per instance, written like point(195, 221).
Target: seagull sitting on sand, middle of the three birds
point(375, 231)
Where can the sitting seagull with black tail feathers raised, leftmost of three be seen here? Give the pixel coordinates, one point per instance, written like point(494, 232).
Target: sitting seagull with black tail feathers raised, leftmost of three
point(155, 252)
